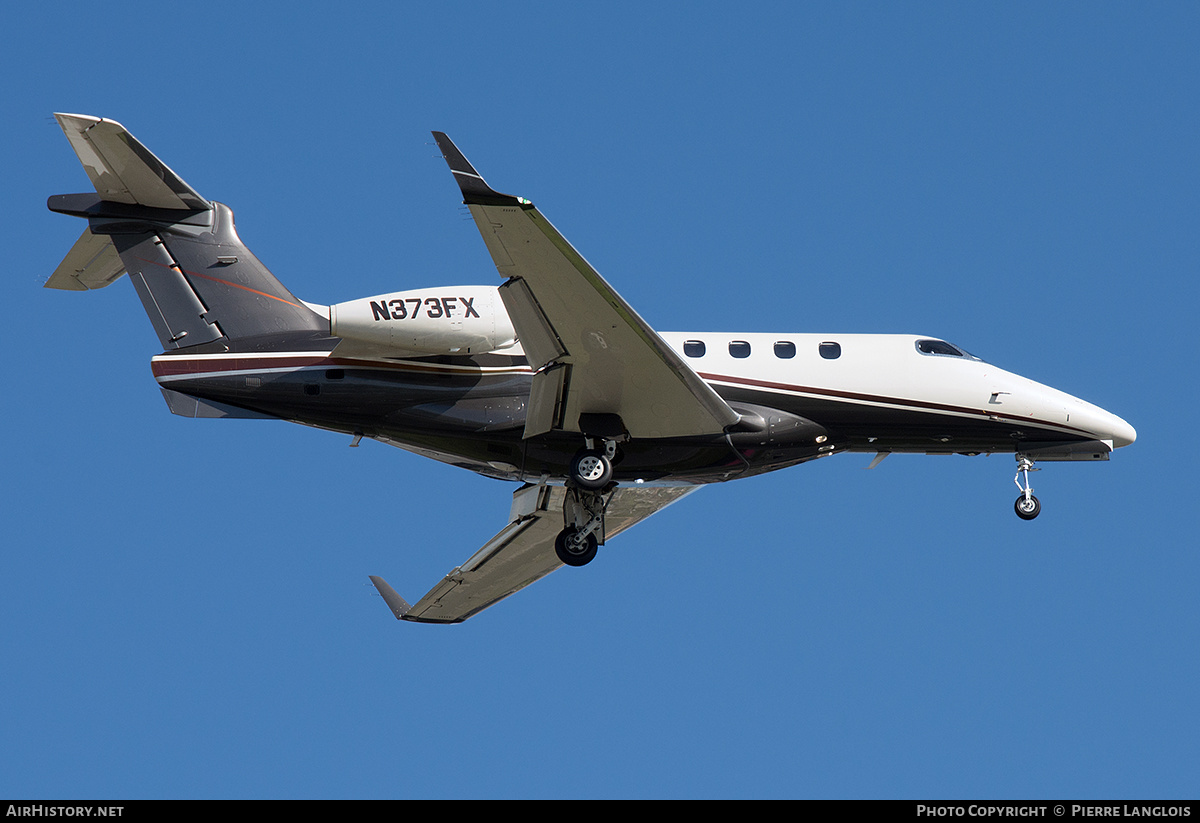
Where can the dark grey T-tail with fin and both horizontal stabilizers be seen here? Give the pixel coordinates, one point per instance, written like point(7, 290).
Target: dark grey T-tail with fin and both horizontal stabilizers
point(199, 284)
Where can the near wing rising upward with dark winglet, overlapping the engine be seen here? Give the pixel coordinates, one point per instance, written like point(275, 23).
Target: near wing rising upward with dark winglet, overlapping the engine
point(592, 353)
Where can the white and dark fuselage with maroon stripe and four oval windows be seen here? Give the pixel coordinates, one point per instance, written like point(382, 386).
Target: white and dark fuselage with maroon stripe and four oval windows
point(802, 397)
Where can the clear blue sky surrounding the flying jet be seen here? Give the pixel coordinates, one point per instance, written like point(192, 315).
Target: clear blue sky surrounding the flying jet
point(185, 608)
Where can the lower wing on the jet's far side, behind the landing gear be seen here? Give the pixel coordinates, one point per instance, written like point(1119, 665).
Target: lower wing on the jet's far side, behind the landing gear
point(521, 554)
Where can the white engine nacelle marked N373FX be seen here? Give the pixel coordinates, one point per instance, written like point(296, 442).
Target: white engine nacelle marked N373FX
point(452, 320)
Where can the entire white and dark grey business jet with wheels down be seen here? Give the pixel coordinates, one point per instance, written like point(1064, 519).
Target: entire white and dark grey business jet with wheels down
point(550, 380)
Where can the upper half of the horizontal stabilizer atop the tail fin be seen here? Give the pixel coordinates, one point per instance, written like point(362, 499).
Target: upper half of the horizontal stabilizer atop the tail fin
point(124, 171)
